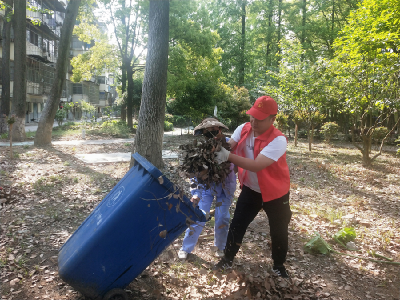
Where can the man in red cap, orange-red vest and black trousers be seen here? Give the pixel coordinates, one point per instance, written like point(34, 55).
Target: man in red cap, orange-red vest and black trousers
point(259, 151)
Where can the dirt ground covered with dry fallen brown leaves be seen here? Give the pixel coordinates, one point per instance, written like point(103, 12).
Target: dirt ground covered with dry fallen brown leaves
point(46, 193)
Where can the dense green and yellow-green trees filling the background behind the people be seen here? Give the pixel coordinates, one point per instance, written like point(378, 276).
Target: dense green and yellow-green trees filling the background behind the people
point(327, 63)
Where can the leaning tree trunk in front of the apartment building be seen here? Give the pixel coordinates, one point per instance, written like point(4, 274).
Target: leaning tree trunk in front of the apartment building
point(45, 126)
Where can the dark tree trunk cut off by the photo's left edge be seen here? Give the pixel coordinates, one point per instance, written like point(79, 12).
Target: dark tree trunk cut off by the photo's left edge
point(5, 67)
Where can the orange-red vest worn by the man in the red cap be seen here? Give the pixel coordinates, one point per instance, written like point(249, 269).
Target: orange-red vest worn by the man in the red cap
point(274, 180)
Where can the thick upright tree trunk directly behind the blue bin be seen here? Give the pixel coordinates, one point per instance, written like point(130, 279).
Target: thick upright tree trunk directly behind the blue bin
point(148, 141)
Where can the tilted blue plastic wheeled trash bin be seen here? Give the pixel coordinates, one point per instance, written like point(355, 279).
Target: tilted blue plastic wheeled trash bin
point(142, 215)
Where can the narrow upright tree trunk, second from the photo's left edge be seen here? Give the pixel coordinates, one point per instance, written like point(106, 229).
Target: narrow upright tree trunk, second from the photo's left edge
point(18, 105)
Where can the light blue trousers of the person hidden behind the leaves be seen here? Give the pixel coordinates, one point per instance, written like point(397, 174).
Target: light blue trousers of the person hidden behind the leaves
point(222, 218)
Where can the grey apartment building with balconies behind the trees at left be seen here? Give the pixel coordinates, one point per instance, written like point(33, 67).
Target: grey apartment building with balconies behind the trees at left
point(42, 38)
